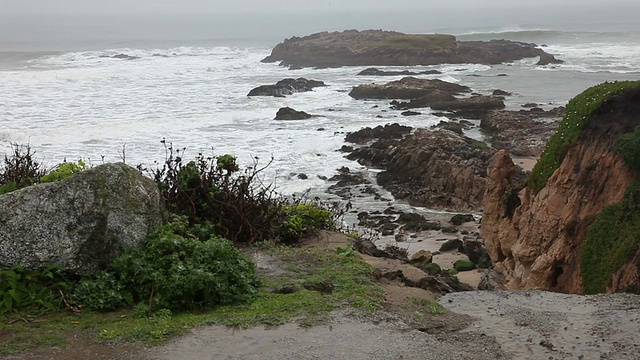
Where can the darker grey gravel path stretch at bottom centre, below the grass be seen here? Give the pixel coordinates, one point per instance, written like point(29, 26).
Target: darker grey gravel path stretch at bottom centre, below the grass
point(345, 337)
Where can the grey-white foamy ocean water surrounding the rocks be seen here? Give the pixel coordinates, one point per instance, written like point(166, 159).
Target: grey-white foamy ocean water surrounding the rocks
point(65, 96)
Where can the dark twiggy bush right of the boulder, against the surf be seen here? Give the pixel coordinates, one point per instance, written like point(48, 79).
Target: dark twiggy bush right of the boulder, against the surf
point(239, 207)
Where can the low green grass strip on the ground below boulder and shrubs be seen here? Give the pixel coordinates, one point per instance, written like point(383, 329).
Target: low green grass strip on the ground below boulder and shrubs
point(325, 280)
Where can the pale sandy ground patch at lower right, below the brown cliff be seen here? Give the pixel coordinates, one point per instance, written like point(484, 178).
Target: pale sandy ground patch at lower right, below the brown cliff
point(544, 325)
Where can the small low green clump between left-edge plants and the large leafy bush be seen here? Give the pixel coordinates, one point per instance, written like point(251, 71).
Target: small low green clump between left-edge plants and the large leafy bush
point(99, 291)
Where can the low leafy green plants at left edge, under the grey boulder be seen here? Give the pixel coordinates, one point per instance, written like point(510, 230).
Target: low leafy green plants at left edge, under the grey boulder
point(39, 290)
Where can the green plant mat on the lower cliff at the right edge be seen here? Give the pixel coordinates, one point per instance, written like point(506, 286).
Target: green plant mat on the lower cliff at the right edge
point(612, 241)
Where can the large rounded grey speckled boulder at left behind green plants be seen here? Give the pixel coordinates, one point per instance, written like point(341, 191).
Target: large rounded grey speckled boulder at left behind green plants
point(80, 223)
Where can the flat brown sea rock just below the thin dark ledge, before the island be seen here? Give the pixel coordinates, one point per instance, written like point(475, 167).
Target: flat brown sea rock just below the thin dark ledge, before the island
point(406, 88)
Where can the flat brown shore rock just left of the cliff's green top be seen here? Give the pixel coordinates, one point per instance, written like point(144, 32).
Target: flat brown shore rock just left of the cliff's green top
point(523, 133)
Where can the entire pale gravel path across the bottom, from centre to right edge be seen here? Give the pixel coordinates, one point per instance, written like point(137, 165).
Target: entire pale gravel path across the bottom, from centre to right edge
point(504, 325)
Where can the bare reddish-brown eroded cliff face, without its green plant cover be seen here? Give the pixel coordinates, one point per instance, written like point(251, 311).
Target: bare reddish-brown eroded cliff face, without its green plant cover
point(534, 239)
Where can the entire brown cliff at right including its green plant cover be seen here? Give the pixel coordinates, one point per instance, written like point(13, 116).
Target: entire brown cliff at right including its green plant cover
point(573, 226)
